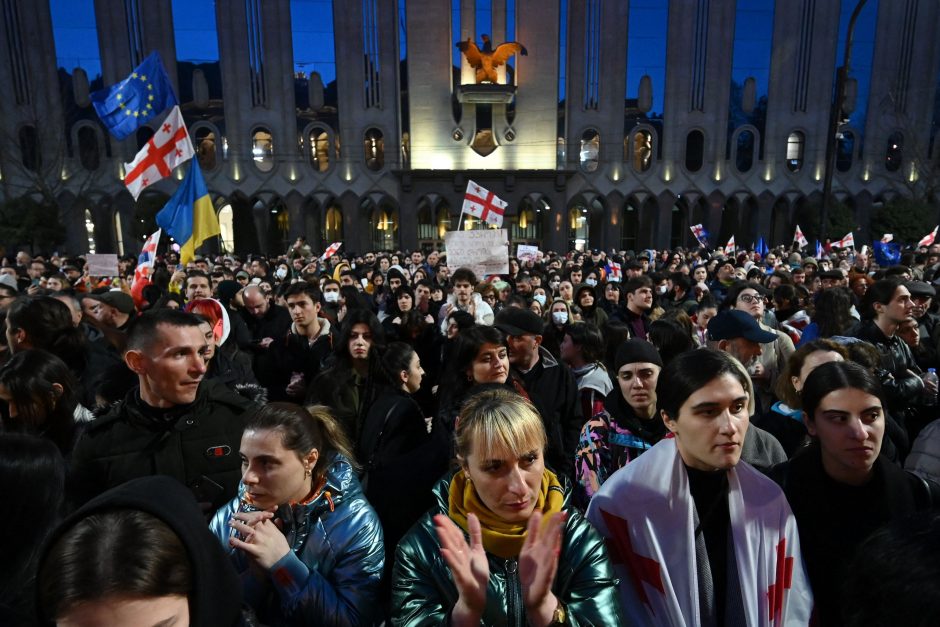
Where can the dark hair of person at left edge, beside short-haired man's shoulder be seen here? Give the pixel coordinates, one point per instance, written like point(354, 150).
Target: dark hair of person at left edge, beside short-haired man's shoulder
point(28, 378)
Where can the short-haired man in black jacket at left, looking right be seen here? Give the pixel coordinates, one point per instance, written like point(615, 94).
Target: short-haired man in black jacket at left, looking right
point(173, 423)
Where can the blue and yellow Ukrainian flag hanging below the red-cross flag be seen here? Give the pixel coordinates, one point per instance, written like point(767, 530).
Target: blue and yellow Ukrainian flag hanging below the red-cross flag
point(189, 216)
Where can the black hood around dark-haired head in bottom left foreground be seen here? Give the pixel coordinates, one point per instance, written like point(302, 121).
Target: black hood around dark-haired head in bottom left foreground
point(215, 600)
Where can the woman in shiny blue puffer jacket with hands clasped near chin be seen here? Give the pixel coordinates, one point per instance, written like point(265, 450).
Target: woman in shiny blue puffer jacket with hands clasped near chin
point(306, 543)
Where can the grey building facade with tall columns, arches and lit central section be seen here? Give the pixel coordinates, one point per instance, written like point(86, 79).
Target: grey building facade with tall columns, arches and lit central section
point(626, 122)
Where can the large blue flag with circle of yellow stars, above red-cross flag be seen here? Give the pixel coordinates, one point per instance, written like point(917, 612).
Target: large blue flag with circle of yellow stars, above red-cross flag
point(132, 103)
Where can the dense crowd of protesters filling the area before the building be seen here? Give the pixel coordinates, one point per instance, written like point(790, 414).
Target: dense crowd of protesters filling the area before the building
point(610, 438)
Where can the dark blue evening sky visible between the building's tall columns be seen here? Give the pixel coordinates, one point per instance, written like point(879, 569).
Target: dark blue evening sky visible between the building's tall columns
point(312, 31)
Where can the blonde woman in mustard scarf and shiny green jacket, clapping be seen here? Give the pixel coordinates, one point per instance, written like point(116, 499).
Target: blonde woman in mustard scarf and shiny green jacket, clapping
point(530, 558)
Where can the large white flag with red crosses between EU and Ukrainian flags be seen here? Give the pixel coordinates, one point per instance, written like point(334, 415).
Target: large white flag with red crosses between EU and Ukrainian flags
point(169, 147)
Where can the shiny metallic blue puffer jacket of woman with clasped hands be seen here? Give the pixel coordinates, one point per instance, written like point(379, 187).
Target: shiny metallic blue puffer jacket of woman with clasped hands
point(331, 574)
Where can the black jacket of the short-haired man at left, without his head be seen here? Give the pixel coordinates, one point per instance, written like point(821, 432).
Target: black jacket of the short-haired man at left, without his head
point(190, 443)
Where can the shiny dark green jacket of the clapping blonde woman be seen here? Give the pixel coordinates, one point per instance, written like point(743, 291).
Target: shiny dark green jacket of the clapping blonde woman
point(423, 590)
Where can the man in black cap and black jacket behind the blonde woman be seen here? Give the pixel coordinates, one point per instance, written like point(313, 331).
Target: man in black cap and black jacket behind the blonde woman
point(550, 385)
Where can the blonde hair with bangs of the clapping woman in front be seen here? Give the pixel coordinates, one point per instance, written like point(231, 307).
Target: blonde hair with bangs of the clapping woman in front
point(498, 419)
